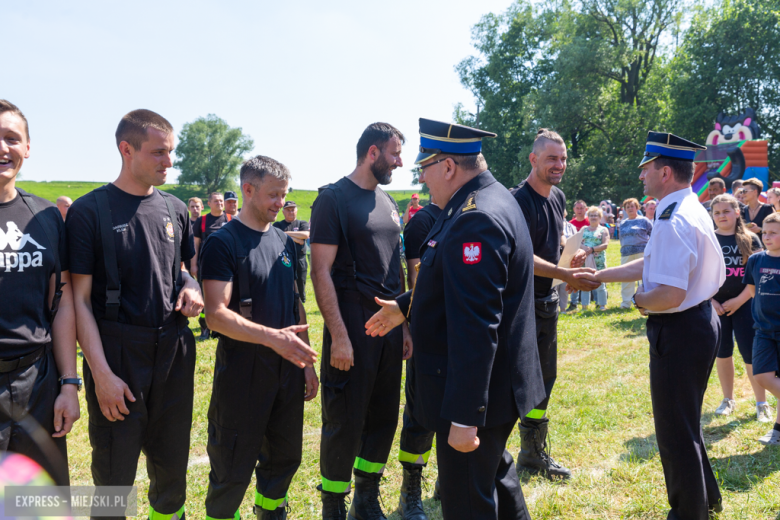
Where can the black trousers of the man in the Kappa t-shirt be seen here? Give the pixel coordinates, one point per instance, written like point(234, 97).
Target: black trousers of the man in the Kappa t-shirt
point(31, 391)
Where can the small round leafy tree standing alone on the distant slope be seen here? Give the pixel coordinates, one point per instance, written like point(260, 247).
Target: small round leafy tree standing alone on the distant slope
point(210, 153)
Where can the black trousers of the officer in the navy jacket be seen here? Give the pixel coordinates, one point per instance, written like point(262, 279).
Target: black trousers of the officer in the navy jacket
point(482, 484)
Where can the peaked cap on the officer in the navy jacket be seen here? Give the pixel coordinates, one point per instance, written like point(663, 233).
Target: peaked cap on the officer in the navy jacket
point(437, 137)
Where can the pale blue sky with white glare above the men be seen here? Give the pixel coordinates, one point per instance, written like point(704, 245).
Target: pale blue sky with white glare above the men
point(303, 79)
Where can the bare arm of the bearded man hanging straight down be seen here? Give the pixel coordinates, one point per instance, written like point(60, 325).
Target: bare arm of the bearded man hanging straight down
point(322, 258)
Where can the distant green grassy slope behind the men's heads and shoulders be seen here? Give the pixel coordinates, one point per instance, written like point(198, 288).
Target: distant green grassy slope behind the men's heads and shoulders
point(304, 198)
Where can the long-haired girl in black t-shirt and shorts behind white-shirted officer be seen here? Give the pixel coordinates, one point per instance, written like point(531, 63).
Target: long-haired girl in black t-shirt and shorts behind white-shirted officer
point(732, 303)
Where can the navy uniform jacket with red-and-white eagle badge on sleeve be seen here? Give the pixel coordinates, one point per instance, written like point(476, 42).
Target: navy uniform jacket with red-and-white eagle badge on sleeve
point(472, 314)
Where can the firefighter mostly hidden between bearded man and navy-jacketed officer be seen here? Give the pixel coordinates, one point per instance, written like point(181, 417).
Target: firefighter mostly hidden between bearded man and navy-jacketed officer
point(416, 440)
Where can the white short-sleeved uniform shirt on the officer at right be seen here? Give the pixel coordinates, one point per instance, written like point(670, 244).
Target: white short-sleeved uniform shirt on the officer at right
point(683, 251)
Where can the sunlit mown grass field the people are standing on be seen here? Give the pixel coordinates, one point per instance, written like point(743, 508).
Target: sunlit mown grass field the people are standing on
point(601, 428)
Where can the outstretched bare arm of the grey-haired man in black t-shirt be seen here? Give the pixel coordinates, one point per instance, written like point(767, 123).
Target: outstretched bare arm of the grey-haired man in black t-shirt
point(284, 342)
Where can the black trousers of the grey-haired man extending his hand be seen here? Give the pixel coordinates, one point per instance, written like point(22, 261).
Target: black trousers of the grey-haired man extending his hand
point(255, 422)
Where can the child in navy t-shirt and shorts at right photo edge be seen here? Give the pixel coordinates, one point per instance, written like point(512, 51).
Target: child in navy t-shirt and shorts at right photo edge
point(762, 276)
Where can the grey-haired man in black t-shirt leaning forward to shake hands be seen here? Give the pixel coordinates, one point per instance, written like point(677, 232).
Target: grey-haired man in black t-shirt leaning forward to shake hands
point(263, 353)
